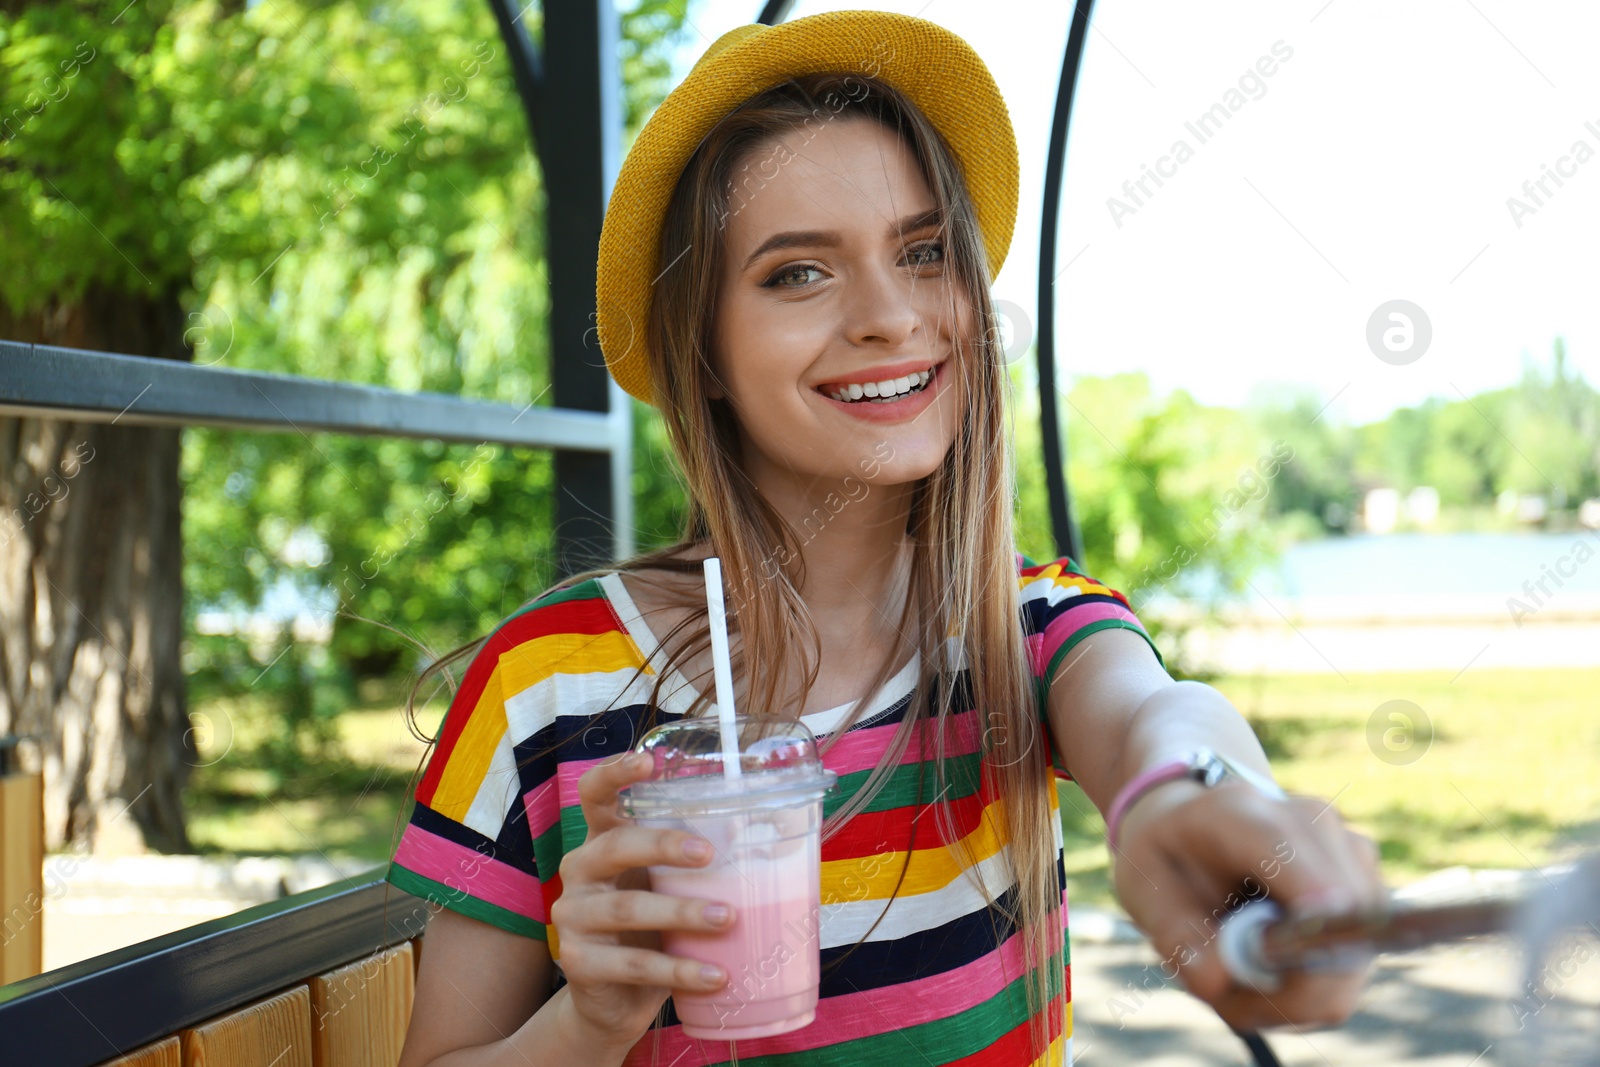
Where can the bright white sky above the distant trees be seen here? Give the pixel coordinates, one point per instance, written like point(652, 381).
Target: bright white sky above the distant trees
point(1375, 164)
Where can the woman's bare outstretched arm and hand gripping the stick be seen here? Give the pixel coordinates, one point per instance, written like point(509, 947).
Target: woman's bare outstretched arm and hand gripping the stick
point(1188, 855)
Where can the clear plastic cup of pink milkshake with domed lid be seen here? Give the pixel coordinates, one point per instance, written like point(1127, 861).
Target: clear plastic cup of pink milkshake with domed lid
point(766, 831)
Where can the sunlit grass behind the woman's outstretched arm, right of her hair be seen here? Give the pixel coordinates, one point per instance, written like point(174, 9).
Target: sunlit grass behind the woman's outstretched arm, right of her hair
point(1508, 780)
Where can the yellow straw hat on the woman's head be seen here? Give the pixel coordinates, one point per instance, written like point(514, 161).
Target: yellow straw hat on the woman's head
point(934, 68)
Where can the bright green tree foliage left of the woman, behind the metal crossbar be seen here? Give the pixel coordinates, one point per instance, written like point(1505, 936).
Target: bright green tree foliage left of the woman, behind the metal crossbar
point(334, 191)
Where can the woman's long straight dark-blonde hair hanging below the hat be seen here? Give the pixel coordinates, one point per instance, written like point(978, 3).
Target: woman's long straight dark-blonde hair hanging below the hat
point(962, 593)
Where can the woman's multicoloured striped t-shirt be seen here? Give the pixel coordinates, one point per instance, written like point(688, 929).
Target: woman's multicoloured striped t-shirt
point(937, 980)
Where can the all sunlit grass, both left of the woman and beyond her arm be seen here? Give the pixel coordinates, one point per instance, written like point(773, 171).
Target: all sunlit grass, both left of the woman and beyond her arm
point(1508, 780)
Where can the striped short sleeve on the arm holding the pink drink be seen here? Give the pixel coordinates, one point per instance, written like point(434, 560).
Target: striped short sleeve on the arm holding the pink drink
point(470, 844)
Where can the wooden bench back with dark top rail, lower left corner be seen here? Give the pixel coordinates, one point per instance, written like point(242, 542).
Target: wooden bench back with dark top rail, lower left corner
point(318, 980)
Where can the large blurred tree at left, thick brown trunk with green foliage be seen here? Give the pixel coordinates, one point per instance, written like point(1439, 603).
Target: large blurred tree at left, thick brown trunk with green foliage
point(324, 190)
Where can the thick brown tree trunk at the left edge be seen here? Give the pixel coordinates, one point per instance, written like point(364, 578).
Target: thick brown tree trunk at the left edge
point(92, 591)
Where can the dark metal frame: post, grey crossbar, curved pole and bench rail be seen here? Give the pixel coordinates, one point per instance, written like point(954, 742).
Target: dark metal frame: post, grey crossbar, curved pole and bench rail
point(590, 431)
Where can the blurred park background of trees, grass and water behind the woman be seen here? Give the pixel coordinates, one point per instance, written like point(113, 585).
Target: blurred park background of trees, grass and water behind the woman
point(1404, 605)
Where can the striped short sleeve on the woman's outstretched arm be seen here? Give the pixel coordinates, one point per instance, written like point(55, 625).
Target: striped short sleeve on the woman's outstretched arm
point(1062, 605)
